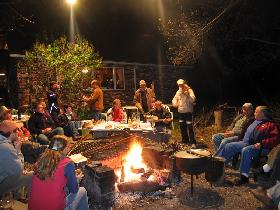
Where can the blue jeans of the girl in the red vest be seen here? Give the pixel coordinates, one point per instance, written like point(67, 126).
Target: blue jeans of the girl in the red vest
point(77, 200)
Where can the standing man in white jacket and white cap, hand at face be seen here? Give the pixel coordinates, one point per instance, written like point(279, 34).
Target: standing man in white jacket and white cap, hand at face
point(184, 100)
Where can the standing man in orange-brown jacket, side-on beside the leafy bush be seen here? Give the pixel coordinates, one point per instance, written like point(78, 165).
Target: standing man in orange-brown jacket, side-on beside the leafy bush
point(95, 100)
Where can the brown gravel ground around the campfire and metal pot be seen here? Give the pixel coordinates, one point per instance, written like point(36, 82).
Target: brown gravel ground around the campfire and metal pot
point(222, 196)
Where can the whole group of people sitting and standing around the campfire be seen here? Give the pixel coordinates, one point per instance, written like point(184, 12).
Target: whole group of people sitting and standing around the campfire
point(251, 135)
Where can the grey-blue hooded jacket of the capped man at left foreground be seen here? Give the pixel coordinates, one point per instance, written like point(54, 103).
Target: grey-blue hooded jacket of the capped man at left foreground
point(11, 162)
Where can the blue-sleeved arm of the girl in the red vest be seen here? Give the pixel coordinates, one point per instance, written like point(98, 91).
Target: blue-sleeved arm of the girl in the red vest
point(70, 175)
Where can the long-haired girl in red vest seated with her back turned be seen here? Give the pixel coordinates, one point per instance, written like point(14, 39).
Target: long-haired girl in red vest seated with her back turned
point(55, 184)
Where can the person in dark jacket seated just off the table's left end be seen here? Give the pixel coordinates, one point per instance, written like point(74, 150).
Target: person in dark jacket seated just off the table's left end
point(69, 121)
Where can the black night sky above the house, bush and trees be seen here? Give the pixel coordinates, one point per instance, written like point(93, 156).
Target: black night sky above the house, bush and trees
point(127, 30)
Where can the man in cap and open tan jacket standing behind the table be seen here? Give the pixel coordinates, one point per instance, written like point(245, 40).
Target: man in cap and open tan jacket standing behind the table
point(143, 98)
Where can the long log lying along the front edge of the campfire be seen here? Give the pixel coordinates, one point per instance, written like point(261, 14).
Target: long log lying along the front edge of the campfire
point(149, 186)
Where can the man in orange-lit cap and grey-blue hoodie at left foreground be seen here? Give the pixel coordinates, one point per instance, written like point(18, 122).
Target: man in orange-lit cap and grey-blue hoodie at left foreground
point(11, 158)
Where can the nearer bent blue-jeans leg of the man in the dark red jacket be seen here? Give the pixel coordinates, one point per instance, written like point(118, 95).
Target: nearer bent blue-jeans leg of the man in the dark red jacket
point(247, 154)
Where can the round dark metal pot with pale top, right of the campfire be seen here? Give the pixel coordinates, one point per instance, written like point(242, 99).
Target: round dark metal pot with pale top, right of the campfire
point(191, 162)
